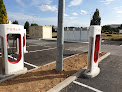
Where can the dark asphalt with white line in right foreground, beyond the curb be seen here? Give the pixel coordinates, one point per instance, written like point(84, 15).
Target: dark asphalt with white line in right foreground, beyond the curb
point(109, 79)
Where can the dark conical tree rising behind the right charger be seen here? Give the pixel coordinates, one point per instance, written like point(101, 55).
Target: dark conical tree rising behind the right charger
point(96, 20)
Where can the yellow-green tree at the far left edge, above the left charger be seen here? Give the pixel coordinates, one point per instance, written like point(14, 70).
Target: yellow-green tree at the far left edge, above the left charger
point(3, 13)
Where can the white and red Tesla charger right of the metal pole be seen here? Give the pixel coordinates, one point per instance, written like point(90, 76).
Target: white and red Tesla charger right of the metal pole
point(93, 52)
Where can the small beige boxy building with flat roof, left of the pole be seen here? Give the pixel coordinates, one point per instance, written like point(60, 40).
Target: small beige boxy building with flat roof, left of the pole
point(40, 31)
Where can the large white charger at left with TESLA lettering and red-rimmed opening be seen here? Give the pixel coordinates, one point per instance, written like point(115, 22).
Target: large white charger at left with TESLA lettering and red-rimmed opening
point(11, 62)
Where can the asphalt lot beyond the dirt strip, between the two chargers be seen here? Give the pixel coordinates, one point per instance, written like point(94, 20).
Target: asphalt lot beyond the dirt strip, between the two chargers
point(41, 52)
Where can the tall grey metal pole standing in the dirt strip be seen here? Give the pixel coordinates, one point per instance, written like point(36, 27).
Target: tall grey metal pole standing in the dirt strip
point(60, 36)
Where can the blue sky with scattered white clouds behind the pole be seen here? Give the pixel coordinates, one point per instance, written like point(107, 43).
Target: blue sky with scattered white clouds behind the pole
point(77, 12)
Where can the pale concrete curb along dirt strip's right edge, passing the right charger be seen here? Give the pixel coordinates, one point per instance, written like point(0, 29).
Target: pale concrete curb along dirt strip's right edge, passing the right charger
point(67, 81)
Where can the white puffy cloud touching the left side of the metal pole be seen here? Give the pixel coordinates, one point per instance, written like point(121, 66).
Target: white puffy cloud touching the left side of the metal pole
point(48, 8)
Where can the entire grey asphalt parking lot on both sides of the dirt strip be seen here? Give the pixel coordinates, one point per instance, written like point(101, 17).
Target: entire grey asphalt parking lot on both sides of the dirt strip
point(41, 52)
